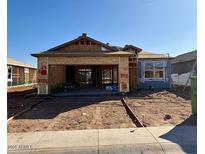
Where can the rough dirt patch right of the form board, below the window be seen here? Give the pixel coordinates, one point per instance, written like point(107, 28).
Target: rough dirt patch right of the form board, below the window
point(163, 108)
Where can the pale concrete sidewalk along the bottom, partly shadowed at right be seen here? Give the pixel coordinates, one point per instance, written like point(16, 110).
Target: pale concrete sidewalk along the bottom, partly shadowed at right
point(179, 139)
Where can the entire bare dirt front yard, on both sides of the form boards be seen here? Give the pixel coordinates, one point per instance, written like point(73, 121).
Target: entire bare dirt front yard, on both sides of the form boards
point(153, 108)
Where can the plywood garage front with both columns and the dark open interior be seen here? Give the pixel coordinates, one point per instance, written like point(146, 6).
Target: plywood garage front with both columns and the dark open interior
point(56, 73)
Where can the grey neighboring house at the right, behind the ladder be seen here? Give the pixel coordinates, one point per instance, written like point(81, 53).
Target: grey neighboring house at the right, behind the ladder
point(182, 66)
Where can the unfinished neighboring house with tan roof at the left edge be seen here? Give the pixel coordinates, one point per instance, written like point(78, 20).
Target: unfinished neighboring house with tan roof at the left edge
point(19, 73)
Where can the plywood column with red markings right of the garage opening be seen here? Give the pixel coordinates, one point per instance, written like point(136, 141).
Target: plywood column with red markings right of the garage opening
point(123, 69)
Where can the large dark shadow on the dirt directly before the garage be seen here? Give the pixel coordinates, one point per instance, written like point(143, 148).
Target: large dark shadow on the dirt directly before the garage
point(51, 108)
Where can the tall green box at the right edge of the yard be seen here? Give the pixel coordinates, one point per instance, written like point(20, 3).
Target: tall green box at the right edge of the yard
point(194, 94)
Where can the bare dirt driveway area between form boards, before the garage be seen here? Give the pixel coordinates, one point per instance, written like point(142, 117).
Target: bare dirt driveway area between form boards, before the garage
point(73, 113)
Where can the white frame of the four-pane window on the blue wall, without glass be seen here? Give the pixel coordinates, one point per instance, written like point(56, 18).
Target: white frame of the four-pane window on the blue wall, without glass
point(154, 71)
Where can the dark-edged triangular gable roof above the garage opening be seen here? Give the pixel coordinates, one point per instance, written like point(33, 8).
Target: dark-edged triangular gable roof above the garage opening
point(109, 50)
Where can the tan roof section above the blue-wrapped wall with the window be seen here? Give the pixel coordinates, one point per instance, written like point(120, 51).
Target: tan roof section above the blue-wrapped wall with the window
point(151, 55)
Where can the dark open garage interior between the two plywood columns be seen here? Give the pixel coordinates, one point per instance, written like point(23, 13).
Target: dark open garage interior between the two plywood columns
point(82, 77)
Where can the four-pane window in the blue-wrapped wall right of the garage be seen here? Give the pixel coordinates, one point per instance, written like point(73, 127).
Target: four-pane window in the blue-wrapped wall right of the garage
point(154, 70)
